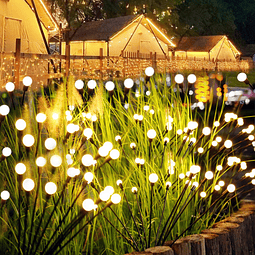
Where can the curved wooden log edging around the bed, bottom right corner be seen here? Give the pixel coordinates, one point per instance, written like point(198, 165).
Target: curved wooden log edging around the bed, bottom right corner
point(234, 235)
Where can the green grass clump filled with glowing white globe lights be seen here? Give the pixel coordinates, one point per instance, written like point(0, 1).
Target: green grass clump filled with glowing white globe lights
point(70, 153)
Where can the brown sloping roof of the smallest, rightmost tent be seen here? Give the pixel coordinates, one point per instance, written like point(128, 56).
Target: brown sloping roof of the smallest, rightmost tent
point(198, 43)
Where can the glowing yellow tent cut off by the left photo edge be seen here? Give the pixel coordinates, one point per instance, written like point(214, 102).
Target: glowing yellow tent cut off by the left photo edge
point(18, 20)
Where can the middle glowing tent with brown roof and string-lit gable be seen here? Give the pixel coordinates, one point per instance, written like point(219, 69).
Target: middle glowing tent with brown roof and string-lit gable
point(118, 35)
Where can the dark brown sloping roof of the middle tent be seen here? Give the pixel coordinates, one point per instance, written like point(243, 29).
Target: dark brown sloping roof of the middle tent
point(103, 29)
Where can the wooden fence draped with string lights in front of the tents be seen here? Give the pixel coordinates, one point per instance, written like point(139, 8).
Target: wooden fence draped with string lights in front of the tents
point(42, 67)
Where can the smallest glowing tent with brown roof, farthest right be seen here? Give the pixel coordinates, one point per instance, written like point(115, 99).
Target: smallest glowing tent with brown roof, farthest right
point(213, 48)
